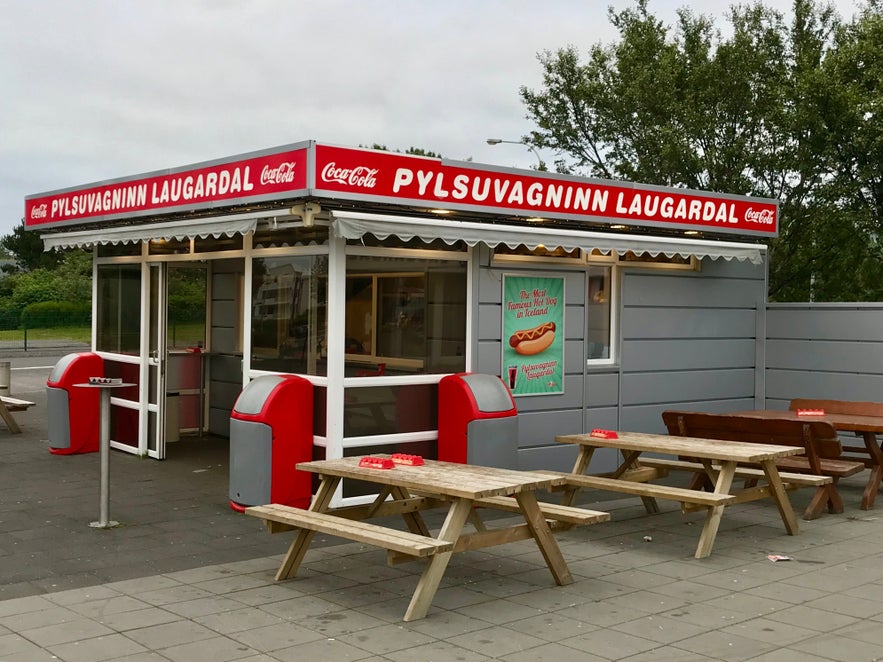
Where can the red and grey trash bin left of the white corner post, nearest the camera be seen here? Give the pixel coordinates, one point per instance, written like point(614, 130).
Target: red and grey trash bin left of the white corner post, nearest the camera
point(271, 430)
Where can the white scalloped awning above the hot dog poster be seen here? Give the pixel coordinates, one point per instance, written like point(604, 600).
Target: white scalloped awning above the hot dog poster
point(352, 225)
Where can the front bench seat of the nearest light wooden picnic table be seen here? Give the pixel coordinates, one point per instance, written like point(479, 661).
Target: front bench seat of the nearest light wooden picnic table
point(394, 540)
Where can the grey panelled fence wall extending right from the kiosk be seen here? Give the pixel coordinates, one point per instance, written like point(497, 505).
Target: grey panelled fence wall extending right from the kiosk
point(825, 350)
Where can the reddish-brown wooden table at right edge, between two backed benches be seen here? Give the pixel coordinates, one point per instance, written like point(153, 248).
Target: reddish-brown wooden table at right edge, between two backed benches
point(865, 419)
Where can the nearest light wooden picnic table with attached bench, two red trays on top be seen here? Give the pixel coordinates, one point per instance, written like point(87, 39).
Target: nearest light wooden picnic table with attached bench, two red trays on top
point(406, 490)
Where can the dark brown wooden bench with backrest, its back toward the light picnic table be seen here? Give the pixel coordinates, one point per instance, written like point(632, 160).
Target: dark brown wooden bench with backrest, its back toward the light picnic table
point(822, 448)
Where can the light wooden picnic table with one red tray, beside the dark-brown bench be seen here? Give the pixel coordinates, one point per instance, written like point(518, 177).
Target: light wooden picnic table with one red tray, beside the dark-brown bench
point(720, 459)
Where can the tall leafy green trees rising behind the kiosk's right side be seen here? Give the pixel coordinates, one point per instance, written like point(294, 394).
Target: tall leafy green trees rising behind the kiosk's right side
point(771, 109)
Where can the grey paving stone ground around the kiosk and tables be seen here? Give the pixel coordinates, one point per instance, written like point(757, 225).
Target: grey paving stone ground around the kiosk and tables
point(185, 578)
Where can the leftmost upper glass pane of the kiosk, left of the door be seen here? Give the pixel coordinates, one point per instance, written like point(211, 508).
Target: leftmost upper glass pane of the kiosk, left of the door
point(119, 308)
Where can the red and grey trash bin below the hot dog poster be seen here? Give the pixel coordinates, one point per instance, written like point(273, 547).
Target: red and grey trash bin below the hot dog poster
point(477, 421)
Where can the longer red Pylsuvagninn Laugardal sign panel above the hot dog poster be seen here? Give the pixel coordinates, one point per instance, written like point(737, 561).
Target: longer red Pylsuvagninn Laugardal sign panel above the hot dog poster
point(402, 178)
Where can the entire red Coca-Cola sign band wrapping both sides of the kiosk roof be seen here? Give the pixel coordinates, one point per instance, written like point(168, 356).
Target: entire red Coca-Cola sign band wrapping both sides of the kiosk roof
point(363, 174)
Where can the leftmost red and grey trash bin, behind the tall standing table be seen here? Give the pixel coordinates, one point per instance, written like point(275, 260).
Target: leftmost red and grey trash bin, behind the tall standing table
point(73, 413)
